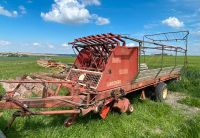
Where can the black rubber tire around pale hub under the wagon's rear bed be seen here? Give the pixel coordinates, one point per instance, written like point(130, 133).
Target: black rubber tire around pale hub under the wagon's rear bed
point(159, 91)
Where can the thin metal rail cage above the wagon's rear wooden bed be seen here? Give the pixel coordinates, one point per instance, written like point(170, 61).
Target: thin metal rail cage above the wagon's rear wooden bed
point(158, 45)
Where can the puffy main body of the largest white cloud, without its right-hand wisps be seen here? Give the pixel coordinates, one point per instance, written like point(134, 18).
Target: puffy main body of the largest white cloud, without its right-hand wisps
point(67, 11)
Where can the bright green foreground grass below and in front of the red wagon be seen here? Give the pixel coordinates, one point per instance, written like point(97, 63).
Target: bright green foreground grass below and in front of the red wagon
point(149, 119)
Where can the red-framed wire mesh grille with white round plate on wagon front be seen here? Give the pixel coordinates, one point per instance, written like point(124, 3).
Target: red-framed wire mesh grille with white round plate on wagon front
point(84, 77)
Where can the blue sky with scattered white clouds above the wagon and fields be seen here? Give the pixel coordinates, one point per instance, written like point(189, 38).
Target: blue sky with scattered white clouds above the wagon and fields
point(46, 26)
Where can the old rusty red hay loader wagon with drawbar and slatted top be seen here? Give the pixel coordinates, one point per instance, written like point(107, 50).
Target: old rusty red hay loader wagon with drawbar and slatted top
point(104, 72)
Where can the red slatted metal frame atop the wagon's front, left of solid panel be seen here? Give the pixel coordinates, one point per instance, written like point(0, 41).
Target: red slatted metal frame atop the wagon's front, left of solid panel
point(100, 46)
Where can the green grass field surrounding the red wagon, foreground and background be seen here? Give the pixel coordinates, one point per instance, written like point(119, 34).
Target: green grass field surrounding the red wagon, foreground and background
point(150, 119)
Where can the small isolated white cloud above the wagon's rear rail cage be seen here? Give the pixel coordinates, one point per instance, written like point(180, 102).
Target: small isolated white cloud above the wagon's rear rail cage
point(173, 22)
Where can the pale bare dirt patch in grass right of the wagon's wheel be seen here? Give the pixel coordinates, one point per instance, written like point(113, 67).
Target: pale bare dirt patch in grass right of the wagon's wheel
point(173, 99)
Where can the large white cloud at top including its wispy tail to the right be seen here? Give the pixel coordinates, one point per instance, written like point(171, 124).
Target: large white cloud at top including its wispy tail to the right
point(72, 11)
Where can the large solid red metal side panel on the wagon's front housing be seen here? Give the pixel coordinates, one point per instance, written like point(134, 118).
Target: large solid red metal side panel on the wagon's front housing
point(120, 69)
